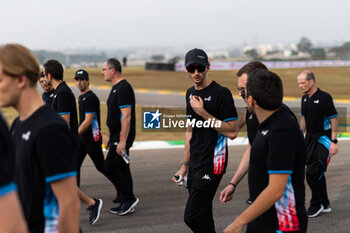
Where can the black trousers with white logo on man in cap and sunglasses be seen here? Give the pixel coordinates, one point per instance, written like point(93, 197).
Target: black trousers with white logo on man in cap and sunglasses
point(202, 187)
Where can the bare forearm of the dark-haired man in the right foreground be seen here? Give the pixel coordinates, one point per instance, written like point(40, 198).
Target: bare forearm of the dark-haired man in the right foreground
point(267, 198)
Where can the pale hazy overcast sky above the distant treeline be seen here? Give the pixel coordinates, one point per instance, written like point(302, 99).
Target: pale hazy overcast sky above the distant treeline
point(107, 24)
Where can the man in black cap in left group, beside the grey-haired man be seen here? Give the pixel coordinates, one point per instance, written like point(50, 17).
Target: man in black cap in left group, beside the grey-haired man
point(90, 138)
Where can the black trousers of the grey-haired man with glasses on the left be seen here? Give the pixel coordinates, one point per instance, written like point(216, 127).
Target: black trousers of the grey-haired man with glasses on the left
point(118, 172)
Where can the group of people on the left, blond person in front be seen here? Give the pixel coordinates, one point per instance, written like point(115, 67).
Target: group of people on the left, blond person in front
point(42, 154)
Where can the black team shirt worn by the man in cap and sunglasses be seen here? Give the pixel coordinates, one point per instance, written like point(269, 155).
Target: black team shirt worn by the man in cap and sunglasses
point(208, 148)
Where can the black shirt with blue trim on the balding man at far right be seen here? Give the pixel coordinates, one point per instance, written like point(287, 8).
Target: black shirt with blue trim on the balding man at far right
point(318, 110)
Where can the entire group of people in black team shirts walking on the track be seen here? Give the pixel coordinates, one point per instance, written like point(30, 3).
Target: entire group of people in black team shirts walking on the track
point(40, 175)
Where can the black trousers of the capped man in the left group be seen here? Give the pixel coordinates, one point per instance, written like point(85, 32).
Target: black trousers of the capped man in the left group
point(94, 150)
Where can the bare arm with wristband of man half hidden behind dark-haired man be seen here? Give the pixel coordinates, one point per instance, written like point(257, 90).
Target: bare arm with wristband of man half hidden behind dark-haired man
point(227, 193)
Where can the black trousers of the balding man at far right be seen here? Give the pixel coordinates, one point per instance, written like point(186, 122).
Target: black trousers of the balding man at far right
point(315, 175)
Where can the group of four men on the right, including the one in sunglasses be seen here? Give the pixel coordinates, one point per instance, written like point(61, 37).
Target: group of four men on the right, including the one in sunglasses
point(276, 154)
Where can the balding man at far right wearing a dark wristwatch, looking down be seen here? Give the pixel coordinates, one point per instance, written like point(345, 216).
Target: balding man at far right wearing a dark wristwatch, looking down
point(319, 120)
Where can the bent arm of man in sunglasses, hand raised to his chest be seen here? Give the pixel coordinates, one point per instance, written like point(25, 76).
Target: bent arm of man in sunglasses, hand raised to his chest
point(228, 129)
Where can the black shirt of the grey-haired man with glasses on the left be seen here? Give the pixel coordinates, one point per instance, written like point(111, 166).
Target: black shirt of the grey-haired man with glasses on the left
point(121, 96)
